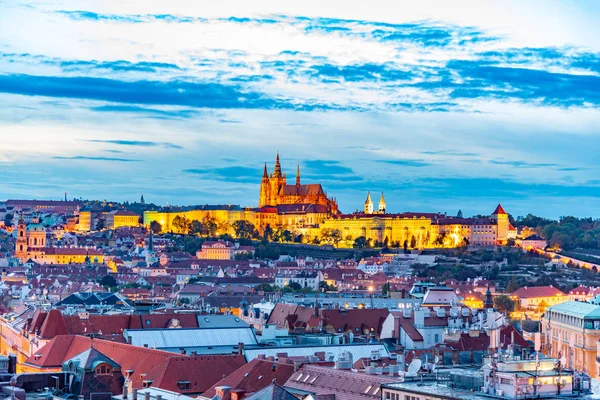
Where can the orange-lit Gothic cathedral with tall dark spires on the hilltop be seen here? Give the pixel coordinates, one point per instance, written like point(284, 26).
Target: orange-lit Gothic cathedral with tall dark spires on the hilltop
point(274, 191)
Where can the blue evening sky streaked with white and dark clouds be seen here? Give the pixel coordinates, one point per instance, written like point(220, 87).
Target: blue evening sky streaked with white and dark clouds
point(440, 105)
